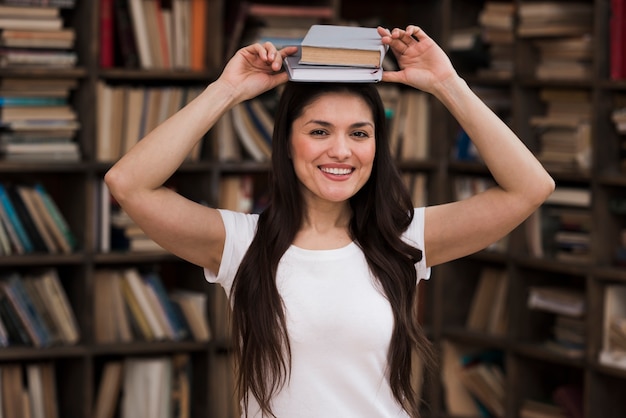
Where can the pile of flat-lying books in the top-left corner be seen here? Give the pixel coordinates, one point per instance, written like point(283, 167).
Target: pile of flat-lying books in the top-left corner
point(35, 35)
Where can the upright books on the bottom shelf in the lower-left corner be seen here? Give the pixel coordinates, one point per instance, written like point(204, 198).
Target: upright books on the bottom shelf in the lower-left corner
point(28, 390)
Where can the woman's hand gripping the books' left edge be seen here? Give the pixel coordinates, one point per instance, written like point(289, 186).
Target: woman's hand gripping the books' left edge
point(255, 69)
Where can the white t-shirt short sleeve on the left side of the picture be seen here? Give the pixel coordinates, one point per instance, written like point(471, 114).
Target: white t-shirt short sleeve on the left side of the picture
point(240, 229)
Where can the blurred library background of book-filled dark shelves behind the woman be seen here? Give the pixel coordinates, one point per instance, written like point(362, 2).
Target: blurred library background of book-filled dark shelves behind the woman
point(91, 309)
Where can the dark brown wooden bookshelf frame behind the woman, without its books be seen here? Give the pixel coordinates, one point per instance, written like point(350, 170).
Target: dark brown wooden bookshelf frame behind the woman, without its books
point(532, 371)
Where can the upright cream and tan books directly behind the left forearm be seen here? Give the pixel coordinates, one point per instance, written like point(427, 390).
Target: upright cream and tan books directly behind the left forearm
point(127, 113)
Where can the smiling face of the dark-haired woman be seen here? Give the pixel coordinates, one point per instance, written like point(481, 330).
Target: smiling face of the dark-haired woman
point(333, 147)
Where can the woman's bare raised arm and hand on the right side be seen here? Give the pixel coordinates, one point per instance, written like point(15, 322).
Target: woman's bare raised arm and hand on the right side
point(460, 228)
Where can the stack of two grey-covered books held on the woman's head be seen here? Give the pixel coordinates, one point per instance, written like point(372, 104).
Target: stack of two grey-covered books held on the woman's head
point(334, 53)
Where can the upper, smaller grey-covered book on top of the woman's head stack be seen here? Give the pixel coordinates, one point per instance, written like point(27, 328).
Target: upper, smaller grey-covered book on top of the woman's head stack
point(343, 45)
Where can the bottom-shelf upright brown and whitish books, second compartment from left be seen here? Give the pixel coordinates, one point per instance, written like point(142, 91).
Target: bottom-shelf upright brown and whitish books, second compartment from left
point(145, 387)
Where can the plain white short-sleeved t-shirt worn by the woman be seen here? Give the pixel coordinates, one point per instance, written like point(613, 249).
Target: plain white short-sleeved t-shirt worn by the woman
point(339, 324)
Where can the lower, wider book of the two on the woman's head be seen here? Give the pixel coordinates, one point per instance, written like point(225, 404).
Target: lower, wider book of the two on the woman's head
point(325, 73)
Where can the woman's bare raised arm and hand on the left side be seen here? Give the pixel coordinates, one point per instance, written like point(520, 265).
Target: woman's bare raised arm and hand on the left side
point(188, 229)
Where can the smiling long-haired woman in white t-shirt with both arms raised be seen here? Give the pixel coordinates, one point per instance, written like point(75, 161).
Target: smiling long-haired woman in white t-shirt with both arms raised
point(322, 282)
